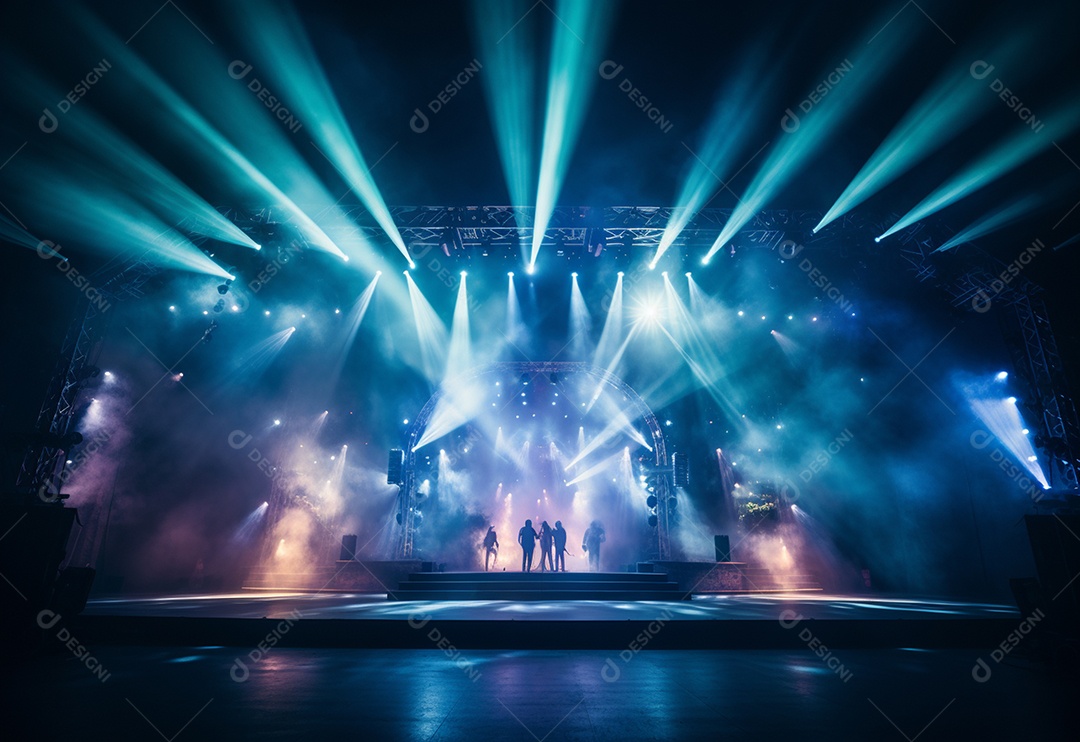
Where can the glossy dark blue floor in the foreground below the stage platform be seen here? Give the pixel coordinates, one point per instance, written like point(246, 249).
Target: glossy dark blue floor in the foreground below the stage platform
point(181, 694)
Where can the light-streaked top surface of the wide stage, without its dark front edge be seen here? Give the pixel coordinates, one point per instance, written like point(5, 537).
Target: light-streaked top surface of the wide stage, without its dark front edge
point(757, 608)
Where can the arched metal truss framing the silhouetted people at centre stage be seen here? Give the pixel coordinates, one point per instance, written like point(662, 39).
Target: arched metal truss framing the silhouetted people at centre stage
point(407, 496)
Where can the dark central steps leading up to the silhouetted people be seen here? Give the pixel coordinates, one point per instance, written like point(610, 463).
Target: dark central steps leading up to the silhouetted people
point(537, 587)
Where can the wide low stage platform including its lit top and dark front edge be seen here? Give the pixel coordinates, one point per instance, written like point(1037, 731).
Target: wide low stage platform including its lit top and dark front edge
point(776, 622)
